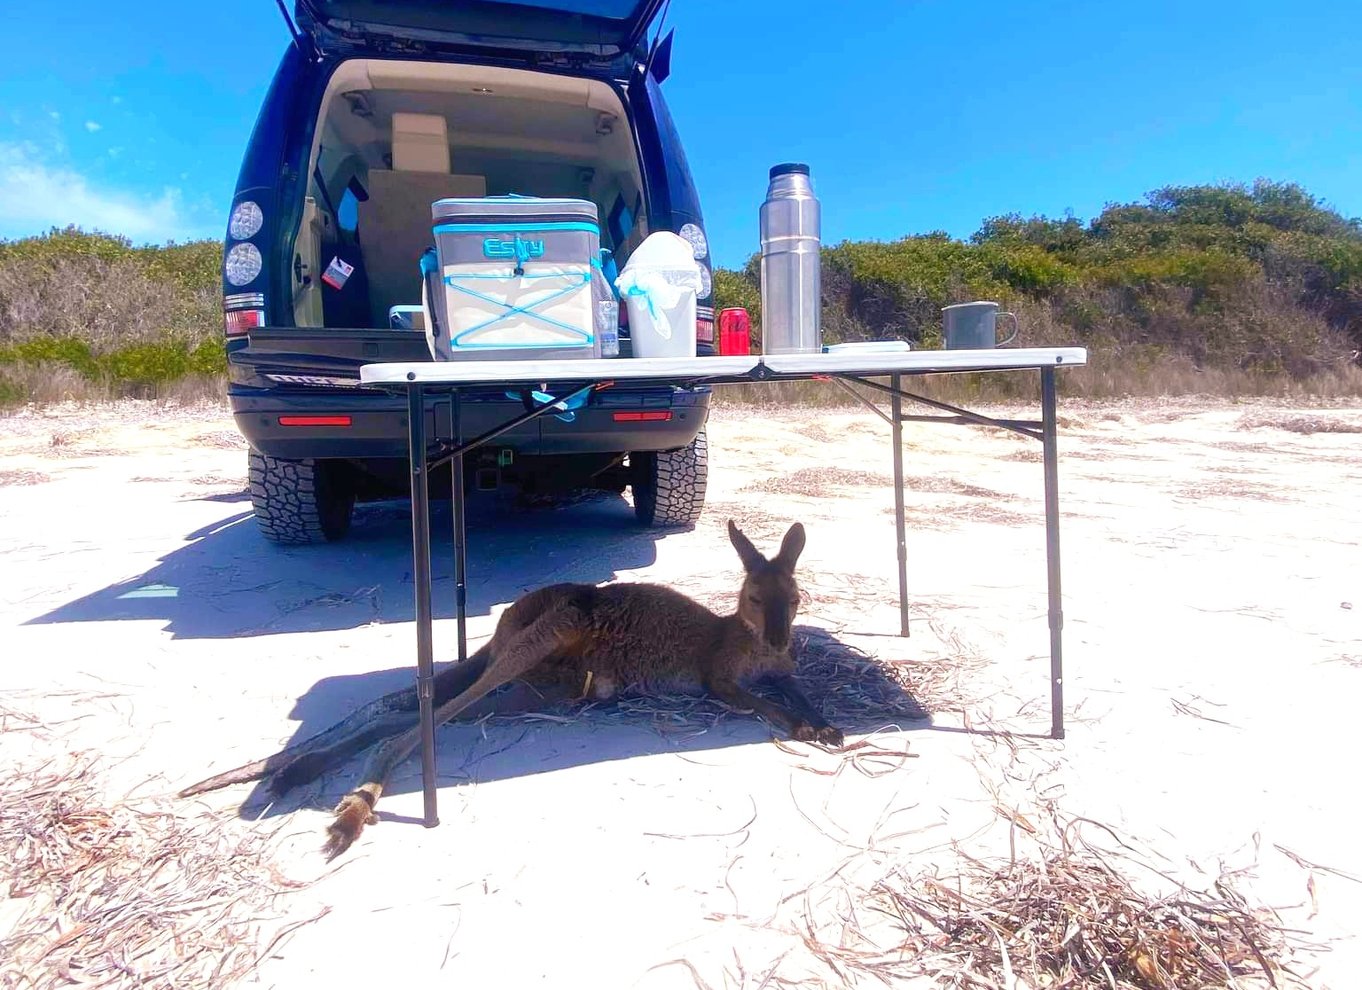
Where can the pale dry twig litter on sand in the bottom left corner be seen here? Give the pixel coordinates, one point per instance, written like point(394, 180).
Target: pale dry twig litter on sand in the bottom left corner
point(119, 895)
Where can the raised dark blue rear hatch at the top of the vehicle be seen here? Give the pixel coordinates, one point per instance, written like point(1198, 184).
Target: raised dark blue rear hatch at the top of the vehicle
point(589, 29)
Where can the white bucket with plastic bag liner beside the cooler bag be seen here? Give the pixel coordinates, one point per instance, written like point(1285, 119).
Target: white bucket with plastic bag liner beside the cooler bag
point(660, 287)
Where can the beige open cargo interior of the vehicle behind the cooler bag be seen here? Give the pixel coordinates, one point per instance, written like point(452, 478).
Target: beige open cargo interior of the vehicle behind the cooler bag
point(394, 137)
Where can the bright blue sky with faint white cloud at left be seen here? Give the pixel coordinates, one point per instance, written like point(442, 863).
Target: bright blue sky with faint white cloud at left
point(913, 116)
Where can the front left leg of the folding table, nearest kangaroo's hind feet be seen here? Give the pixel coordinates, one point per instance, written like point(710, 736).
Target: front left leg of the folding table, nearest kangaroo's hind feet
point(422, 579)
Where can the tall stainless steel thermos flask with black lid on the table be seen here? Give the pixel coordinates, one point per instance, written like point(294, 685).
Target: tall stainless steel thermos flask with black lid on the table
point(791, 264)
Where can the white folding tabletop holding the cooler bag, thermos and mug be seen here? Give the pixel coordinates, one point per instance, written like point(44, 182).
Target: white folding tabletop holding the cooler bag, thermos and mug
point(603, 370)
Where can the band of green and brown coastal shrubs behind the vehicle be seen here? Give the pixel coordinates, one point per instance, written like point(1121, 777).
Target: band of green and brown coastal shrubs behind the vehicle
point(1258, 284)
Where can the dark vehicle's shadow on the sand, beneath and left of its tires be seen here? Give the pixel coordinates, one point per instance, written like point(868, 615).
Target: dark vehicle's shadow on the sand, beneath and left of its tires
point(228, 582)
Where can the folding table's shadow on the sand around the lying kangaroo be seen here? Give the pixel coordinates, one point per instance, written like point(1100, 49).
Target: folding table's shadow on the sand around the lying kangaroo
point(532, 740)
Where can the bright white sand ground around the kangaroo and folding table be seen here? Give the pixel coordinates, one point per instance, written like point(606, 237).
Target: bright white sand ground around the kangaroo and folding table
point(1214, 657)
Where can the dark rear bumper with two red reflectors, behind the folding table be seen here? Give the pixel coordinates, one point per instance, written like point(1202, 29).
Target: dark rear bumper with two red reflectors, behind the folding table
point(366, 426)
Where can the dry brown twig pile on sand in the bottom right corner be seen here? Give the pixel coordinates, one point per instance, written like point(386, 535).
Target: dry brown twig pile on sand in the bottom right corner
point(1070, 916)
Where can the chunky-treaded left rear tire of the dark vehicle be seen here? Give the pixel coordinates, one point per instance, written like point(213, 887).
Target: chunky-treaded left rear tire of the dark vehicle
point(299, 502)
